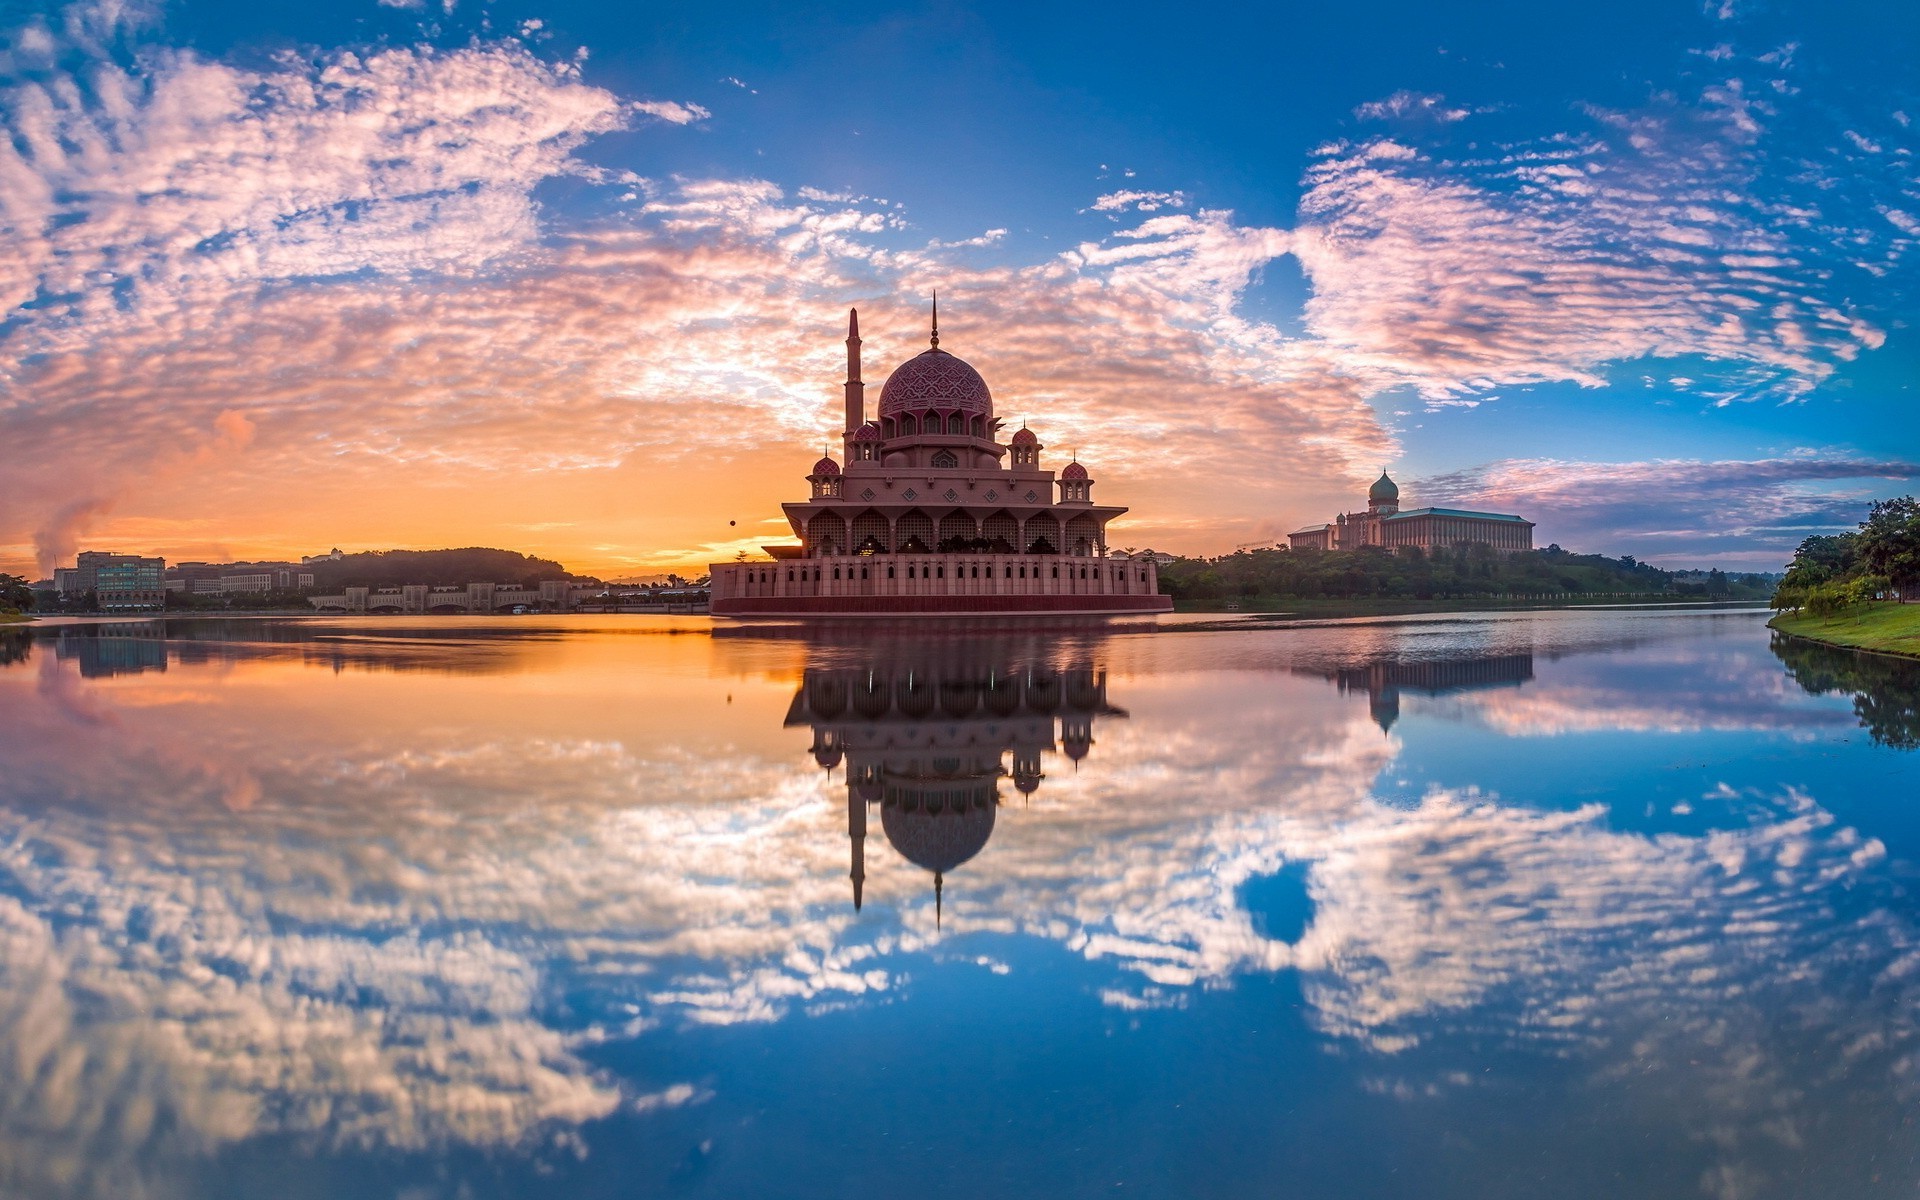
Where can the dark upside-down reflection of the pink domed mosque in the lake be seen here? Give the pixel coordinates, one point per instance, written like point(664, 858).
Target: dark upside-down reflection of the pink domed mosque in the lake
point(930, 744)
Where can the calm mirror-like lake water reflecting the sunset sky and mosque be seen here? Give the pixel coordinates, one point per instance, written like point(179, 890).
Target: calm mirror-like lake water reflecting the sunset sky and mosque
point(1531, 905)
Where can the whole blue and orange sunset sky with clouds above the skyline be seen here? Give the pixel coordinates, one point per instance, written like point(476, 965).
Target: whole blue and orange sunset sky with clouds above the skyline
point(573, 279)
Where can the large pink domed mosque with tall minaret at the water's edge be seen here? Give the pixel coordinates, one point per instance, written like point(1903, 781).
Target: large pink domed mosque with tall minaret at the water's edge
point(936, 516)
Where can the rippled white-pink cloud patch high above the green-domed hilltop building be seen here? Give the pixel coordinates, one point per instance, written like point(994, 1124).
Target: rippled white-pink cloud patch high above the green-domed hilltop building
point(1548, 262)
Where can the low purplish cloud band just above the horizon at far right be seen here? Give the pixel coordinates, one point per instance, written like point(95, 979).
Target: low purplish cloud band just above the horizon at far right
point(1679, 510)
